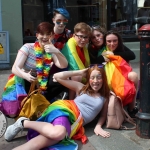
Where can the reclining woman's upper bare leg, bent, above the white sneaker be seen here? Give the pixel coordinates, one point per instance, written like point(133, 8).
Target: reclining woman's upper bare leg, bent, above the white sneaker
point(55, 132)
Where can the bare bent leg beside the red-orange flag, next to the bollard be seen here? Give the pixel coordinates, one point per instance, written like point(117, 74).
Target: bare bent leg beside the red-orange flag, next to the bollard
point(132, 76)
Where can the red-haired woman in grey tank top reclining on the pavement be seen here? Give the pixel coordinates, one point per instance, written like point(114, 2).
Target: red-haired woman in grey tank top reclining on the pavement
point(64, 120)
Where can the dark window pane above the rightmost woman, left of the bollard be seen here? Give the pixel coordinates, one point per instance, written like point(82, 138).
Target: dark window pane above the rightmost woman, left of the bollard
point(122, 16)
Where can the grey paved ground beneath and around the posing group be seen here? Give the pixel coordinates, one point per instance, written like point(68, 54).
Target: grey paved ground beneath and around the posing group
point(119, 140)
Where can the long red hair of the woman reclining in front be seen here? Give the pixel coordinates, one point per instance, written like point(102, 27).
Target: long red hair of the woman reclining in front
point(104, 90)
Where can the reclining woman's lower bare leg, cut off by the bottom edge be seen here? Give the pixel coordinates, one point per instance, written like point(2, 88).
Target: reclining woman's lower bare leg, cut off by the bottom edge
point(37, 143)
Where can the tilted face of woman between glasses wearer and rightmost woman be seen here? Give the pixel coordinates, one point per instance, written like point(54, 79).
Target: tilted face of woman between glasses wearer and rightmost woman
point(97, 38)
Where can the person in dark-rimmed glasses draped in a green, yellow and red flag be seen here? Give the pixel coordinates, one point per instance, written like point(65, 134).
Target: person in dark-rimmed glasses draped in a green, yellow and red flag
point(76, 52)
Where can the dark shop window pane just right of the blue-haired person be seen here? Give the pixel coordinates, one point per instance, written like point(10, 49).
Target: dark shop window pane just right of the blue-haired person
point(89, 11)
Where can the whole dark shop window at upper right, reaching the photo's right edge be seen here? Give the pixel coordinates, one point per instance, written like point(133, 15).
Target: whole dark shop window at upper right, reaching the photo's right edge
point(127, 16)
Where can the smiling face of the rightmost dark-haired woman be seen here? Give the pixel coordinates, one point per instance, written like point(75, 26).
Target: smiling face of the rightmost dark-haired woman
point(112, 42)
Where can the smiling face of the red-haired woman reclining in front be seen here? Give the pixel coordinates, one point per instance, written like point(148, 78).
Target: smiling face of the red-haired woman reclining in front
point(95, 80)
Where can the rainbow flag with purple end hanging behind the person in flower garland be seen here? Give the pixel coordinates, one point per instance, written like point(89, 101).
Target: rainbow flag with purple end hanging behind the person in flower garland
point(12, 95)
